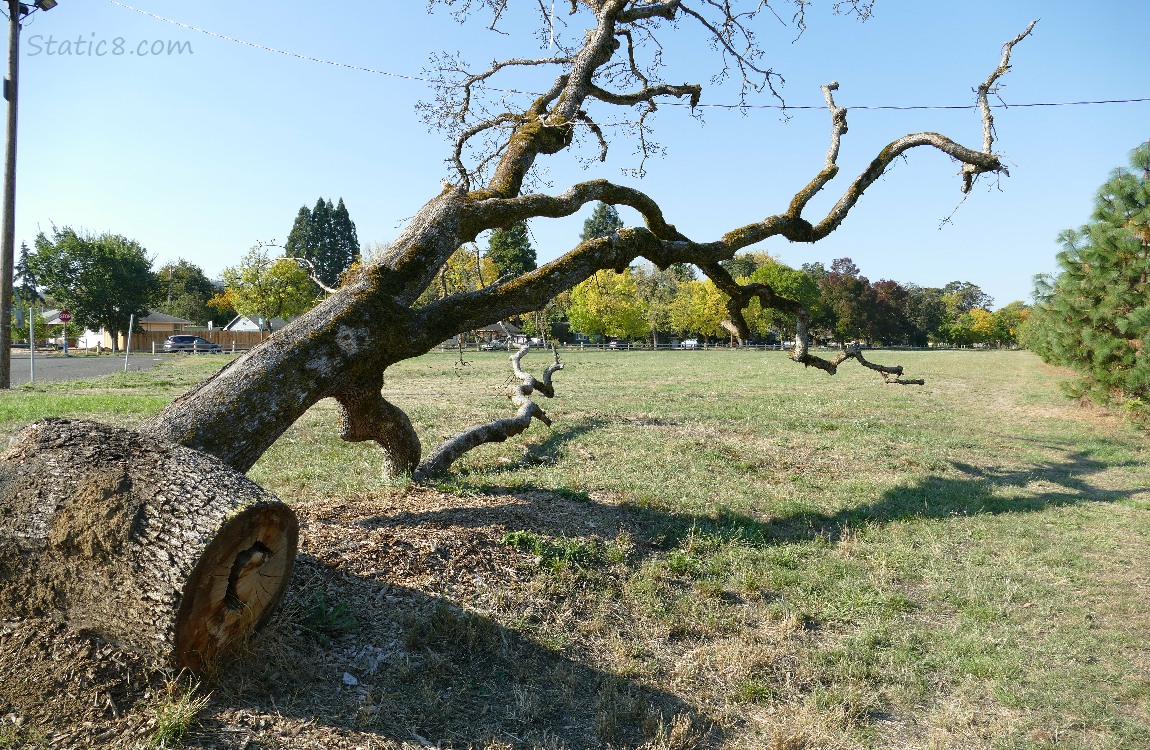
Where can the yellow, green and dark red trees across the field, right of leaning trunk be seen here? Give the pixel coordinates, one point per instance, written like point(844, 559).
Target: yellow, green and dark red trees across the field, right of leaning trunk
point(648, 304)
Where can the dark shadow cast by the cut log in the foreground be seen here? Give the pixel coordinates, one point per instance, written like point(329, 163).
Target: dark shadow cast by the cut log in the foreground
point(357, 654)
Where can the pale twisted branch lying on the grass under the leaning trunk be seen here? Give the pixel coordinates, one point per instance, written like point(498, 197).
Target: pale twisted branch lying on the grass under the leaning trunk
point(497, 431)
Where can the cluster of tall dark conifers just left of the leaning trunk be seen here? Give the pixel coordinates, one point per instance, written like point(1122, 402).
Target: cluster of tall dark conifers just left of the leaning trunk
point(326, 236)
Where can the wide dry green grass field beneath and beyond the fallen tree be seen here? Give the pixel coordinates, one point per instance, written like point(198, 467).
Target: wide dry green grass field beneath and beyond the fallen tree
point(724, 549)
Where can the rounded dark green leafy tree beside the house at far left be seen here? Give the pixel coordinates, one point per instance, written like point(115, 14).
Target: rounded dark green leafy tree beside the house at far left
point(103, 280)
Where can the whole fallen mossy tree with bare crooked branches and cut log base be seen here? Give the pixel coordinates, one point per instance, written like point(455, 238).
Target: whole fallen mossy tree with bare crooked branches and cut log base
point(226, 560)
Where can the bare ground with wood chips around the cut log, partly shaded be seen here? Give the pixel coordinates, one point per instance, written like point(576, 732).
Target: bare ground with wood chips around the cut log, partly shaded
point(404, 626)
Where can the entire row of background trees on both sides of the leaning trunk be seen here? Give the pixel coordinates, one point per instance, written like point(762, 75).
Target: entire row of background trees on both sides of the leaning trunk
point(106, 279)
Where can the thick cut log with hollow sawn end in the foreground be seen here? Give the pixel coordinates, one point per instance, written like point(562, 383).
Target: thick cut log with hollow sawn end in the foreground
point(151, 546)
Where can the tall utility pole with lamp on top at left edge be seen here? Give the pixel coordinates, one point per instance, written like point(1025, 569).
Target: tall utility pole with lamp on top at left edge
point(17, 13)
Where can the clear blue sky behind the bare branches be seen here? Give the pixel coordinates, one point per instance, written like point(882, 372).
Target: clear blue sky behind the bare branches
point(202, 155)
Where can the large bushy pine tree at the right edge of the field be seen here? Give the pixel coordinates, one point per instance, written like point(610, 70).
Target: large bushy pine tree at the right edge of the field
point(1097, 317)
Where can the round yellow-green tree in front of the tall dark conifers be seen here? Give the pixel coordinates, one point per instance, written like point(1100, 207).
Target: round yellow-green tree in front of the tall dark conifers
point(265, 288)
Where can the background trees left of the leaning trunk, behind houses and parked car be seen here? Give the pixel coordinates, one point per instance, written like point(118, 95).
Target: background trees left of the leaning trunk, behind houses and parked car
point(106, 280)
